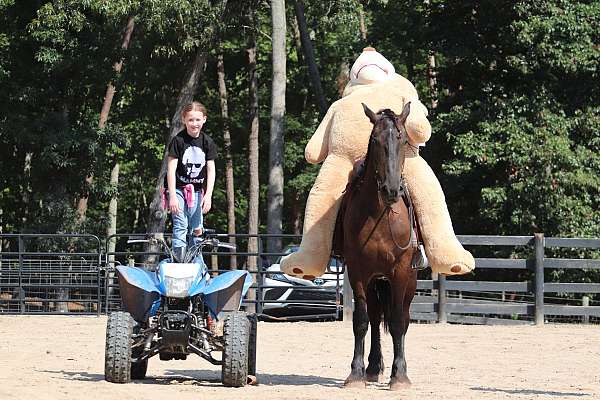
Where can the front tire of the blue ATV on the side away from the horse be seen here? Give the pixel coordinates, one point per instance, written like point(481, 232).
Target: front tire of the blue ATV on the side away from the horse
point(117, 356)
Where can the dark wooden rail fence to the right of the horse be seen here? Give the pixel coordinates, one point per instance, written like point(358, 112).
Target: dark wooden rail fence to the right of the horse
point(442, 307)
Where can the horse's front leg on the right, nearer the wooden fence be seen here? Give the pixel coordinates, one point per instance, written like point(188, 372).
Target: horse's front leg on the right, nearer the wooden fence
point(398, 326)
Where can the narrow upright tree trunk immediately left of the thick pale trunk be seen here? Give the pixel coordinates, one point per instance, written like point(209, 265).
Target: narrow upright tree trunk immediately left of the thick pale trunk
point(254, 187)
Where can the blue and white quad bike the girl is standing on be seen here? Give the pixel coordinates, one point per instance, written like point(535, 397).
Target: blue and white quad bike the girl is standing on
point(178, 309)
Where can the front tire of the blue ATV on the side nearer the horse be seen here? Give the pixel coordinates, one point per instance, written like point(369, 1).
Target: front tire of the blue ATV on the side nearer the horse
point(236, 332)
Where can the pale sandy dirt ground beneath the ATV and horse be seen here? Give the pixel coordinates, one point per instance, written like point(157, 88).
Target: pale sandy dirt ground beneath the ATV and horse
point(56, 357)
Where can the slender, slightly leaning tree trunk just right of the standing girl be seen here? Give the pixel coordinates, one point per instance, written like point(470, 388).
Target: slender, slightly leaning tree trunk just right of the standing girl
point(230, 188)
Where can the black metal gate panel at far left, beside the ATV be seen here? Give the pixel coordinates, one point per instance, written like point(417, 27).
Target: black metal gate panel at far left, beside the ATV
point(50, 274)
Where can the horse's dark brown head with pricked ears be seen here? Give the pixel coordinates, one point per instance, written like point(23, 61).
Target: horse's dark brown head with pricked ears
point(386, 150)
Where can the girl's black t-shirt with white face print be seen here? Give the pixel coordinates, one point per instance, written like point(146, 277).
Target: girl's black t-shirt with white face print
point(192, 155)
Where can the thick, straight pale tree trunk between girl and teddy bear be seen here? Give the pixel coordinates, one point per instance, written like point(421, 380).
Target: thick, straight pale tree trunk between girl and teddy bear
point(275, 191)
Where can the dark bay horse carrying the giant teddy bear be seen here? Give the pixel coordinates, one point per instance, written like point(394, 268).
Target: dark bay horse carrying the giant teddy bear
point(378, 243)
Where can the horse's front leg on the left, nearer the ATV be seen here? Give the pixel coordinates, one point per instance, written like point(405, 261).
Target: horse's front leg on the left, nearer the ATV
point(360, 324)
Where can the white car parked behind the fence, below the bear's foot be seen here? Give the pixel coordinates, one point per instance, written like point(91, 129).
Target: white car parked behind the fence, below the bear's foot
point(290, 296)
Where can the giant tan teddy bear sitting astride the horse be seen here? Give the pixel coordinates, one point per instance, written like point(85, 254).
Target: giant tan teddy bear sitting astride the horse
point(341, 139)
